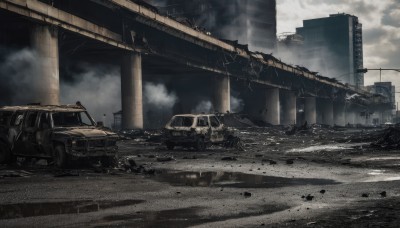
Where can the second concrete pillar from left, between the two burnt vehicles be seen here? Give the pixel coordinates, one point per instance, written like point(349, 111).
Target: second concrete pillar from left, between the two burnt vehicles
point(131, 91)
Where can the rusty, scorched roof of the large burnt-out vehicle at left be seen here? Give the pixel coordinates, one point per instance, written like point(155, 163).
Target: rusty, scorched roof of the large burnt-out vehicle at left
point(50, 108)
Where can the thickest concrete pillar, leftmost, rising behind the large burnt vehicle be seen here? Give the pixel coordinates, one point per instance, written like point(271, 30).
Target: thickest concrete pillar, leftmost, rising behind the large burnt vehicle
point(46, 84)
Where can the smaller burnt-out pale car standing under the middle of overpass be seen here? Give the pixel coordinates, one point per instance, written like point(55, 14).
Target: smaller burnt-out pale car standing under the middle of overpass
point(197, 131)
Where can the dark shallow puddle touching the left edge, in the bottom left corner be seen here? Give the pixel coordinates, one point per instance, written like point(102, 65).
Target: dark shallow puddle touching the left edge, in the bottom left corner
point(11, 211)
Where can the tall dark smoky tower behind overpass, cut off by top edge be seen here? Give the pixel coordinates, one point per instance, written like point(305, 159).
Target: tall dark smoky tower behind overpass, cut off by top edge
point(251, 22)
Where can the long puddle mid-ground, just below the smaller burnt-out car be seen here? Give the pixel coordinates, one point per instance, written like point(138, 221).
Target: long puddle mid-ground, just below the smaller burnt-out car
point(234, 179)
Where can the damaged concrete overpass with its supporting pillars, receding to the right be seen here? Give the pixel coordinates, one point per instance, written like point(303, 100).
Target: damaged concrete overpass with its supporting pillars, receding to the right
point(139, 35)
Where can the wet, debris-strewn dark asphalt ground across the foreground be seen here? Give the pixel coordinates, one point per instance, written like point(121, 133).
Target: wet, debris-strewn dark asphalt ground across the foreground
point(320, 178)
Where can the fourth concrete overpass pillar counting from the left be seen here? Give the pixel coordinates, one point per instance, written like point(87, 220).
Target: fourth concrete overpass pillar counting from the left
point(271, 113)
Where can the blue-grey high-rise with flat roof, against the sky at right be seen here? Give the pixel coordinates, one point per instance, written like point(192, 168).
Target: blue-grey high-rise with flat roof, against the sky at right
point(334, 47)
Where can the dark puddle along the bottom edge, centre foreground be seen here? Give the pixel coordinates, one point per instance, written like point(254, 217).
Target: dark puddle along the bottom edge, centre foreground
point(183, 217)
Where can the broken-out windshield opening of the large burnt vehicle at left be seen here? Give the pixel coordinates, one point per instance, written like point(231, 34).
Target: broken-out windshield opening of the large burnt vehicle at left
point(71, 119)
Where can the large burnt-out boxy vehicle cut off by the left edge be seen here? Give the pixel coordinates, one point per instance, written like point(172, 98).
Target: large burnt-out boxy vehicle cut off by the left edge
point(59, 133)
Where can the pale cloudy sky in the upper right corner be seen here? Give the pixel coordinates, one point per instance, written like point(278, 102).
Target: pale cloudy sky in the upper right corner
point(381, 29)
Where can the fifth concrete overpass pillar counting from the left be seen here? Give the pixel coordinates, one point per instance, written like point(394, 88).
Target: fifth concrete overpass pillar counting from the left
point(288, 104)
